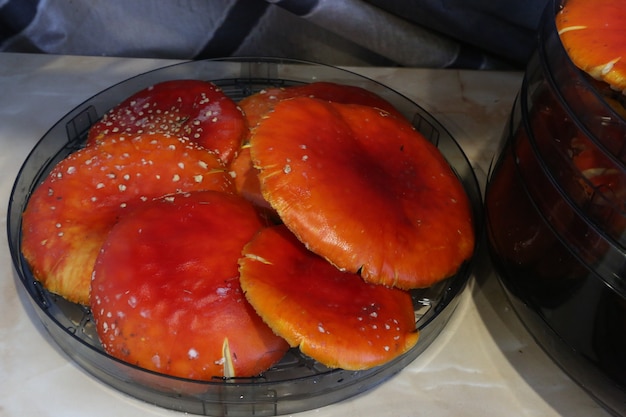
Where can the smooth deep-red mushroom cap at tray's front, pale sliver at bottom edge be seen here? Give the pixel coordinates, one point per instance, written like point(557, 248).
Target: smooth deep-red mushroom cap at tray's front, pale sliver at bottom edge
point(166, 294)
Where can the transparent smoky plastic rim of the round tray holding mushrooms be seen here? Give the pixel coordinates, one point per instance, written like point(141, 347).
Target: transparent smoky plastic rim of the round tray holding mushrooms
point(239, 404)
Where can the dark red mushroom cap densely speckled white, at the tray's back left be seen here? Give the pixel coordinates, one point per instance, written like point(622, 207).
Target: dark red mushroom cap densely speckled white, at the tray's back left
point(195, 109)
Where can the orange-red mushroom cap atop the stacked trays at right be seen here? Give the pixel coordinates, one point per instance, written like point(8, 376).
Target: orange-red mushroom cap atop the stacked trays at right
point(594, 37)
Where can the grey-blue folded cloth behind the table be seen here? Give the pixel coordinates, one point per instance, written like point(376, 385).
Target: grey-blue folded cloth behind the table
point(419, 33)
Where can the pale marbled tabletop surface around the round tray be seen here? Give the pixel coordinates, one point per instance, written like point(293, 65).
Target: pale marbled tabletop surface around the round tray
point(484, 363)
